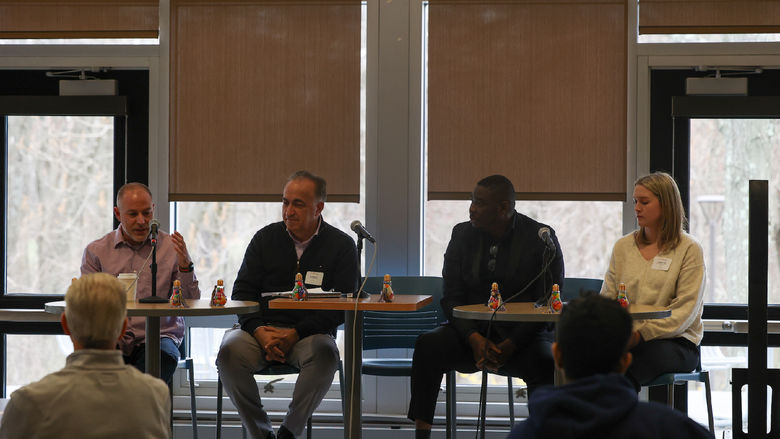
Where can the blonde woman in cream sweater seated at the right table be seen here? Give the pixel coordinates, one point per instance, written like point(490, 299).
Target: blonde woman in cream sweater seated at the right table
point(663, 266)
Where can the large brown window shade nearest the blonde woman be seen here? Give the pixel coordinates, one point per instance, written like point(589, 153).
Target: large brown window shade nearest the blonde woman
point(534, 90)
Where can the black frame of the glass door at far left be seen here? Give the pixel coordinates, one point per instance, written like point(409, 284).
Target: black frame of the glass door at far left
point(26, 92)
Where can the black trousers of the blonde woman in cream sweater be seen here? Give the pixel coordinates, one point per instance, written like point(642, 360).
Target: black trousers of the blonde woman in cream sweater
point(655, 357)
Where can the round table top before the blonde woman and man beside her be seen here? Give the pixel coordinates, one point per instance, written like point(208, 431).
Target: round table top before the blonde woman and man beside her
point(526, 312)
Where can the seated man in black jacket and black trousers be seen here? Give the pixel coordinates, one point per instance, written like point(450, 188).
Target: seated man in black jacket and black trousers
point(497, 245)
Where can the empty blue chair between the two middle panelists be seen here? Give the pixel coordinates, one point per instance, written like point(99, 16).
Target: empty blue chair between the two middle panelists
point(399, 330)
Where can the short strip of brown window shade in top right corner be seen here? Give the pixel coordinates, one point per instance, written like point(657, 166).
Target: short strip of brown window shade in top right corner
point(708, 16)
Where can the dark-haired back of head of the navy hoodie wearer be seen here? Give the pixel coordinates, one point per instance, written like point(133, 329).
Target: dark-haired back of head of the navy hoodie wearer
point(592, 335)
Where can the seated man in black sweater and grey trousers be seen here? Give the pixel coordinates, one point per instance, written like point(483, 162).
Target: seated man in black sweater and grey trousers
point(325, 257)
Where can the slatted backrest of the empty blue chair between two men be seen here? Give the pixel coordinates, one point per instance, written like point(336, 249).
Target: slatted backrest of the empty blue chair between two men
point(384, 330)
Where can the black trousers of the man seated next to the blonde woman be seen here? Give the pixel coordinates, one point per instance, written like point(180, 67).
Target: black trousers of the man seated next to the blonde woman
point(443, 350)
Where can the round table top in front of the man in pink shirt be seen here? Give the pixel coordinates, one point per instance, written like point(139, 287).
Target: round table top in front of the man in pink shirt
point(199, 307)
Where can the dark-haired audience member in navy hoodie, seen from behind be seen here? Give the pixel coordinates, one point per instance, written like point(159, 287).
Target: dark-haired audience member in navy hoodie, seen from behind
point(592, 344)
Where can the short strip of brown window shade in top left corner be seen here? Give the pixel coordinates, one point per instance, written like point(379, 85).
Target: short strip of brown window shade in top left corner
point(79, 19)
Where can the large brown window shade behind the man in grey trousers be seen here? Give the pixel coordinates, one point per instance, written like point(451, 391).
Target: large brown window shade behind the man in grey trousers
point(260, 90)
